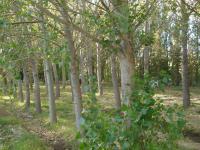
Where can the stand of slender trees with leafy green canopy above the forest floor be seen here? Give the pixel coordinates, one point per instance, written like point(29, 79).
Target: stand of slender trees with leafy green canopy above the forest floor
point(77, 40)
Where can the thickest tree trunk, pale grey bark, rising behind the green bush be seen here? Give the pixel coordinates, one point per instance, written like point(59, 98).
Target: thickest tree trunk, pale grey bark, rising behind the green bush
point(126, 54)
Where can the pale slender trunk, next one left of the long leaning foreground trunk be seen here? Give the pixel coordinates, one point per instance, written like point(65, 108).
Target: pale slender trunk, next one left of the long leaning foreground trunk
point(51, 96)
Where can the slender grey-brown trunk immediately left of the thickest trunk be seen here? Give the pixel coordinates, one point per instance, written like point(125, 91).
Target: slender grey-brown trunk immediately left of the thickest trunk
point(115, 82)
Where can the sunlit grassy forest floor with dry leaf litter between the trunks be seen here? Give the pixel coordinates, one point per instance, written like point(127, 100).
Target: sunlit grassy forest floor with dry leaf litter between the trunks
point(22, 131)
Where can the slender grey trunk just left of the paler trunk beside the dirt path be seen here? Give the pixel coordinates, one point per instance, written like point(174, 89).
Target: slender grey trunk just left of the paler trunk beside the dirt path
point(36, 87)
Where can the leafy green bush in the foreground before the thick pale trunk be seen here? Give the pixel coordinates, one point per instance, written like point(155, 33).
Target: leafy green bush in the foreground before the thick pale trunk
point(146, 124)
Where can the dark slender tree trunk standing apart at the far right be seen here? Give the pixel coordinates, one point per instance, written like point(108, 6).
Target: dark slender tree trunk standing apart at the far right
point(185, 80)
